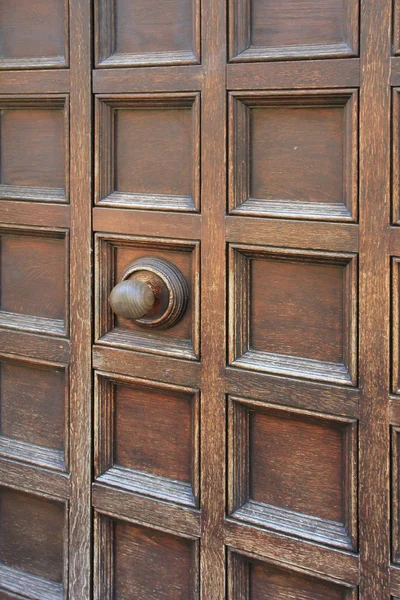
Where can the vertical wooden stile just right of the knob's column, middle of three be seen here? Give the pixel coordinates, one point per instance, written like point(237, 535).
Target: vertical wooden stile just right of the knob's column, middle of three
point(213, 300)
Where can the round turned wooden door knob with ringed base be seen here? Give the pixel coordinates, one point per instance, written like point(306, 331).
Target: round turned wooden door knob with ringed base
point(152, 292)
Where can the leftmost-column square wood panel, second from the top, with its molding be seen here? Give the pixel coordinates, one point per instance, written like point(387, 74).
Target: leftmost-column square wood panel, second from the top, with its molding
point(34, 148)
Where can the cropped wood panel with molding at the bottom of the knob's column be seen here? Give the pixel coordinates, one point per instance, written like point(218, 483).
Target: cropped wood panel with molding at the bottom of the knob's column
point(138, 562)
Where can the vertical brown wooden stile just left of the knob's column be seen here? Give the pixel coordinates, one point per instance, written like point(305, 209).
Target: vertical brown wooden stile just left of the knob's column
point(81, 302)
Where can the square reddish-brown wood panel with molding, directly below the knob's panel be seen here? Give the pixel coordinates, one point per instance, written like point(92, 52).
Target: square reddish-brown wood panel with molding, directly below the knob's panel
point(147, 437)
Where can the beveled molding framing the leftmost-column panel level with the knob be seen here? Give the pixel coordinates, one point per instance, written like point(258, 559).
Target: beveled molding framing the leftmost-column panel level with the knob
point(31, 323)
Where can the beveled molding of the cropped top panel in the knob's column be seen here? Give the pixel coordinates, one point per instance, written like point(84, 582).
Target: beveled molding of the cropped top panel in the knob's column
point(105, 42)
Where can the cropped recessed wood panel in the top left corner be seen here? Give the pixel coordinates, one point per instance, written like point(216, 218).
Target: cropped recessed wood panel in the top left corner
point(33, 34)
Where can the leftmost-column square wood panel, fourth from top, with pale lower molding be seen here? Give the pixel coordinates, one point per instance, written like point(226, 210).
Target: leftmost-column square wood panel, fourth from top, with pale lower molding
point(34, 412)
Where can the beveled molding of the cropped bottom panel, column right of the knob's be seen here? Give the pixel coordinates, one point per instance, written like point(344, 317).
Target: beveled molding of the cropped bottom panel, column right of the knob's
point(239, 564)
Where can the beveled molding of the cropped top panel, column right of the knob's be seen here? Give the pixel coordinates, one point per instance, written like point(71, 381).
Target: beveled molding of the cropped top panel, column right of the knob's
point(240, 31)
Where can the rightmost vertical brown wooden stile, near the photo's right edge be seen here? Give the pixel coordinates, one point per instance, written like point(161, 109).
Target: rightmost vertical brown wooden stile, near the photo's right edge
point(374, 287)
